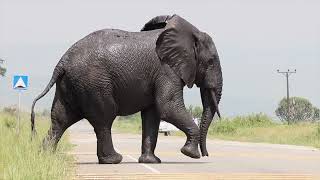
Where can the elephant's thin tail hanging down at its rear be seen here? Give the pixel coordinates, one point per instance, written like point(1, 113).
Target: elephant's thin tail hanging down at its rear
point(57, 73)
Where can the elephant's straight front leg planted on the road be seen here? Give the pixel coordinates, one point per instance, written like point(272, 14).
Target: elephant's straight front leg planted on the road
point(150, 127)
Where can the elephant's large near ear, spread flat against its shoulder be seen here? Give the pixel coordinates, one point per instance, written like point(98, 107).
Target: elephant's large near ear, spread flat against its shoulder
point(175, 46)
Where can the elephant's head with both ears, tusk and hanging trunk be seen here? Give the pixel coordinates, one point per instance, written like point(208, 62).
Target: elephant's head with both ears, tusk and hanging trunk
point(193, 56)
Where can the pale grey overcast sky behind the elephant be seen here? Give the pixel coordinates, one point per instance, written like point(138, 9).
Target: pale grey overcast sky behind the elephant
point(253, 38)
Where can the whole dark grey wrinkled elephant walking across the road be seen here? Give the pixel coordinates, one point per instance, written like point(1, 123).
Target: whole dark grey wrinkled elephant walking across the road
point(113, 73)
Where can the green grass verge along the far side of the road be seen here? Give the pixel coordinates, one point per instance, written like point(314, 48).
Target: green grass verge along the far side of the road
point(249, 128)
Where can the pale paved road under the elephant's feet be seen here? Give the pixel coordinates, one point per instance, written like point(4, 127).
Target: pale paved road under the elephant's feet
point(227, 160)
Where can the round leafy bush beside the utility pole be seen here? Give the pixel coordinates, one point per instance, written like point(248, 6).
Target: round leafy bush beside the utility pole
point(300, 109)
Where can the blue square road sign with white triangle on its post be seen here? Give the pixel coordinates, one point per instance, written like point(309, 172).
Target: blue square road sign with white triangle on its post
point(20, 82)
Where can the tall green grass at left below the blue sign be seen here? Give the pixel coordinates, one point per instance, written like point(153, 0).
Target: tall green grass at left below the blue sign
point(21, 158)
